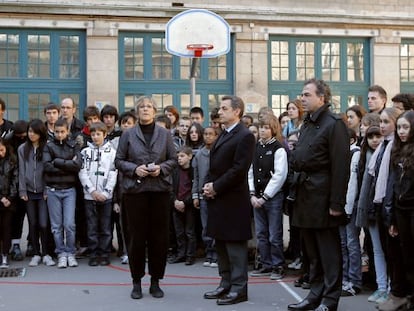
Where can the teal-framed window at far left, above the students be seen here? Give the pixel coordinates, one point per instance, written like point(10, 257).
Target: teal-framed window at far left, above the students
point(38, 66)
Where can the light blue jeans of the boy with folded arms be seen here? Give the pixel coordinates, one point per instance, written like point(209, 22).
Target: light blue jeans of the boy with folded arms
point(61, 205)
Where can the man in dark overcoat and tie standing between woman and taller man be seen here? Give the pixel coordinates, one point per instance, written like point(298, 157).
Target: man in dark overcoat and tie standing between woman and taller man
point(228, 198)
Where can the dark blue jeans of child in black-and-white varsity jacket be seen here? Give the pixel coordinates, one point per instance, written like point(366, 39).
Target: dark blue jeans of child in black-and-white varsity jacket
point(269, 231)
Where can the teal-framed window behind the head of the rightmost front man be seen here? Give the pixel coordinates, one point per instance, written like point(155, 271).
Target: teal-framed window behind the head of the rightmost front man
point(341, 62)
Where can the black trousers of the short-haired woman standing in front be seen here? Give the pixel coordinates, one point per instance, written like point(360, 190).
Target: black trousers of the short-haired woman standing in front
point(148, 220)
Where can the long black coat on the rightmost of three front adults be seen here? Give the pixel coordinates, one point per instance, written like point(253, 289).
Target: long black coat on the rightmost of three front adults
point(321, 163)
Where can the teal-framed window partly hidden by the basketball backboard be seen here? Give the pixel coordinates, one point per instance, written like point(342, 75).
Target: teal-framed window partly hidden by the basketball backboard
point(147, 68)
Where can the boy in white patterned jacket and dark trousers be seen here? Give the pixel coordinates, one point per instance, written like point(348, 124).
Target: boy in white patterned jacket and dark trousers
point(98, 178)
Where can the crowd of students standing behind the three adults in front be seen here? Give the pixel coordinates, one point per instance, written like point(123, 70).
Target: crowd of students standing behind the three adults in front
point(62, 172)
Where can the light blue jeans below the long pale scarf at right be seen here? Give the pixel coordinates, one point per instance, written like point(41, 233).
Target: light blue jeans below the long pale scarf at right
point(379, 257)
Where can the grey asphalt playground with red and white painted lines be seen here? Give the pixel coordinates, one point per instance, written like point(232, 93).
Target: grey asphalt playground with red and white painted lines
point(108, 289)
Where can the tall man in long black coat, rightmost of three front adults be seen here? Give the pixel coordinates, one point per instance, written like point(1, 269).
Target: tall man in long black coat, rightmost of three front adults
point(321, 175)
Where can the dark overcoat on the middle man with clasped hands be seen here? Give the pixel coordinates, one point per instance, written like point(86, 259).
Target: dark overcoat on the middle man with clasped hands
point(229, 212)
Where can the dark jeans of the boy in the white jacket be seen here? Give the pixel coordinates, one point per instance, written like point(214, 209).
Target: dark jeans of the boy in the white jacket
point(98, 218)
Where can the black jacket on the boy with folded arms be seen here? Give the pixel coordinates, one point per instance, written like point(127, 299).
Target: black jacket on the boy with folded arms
point(62, 161)
